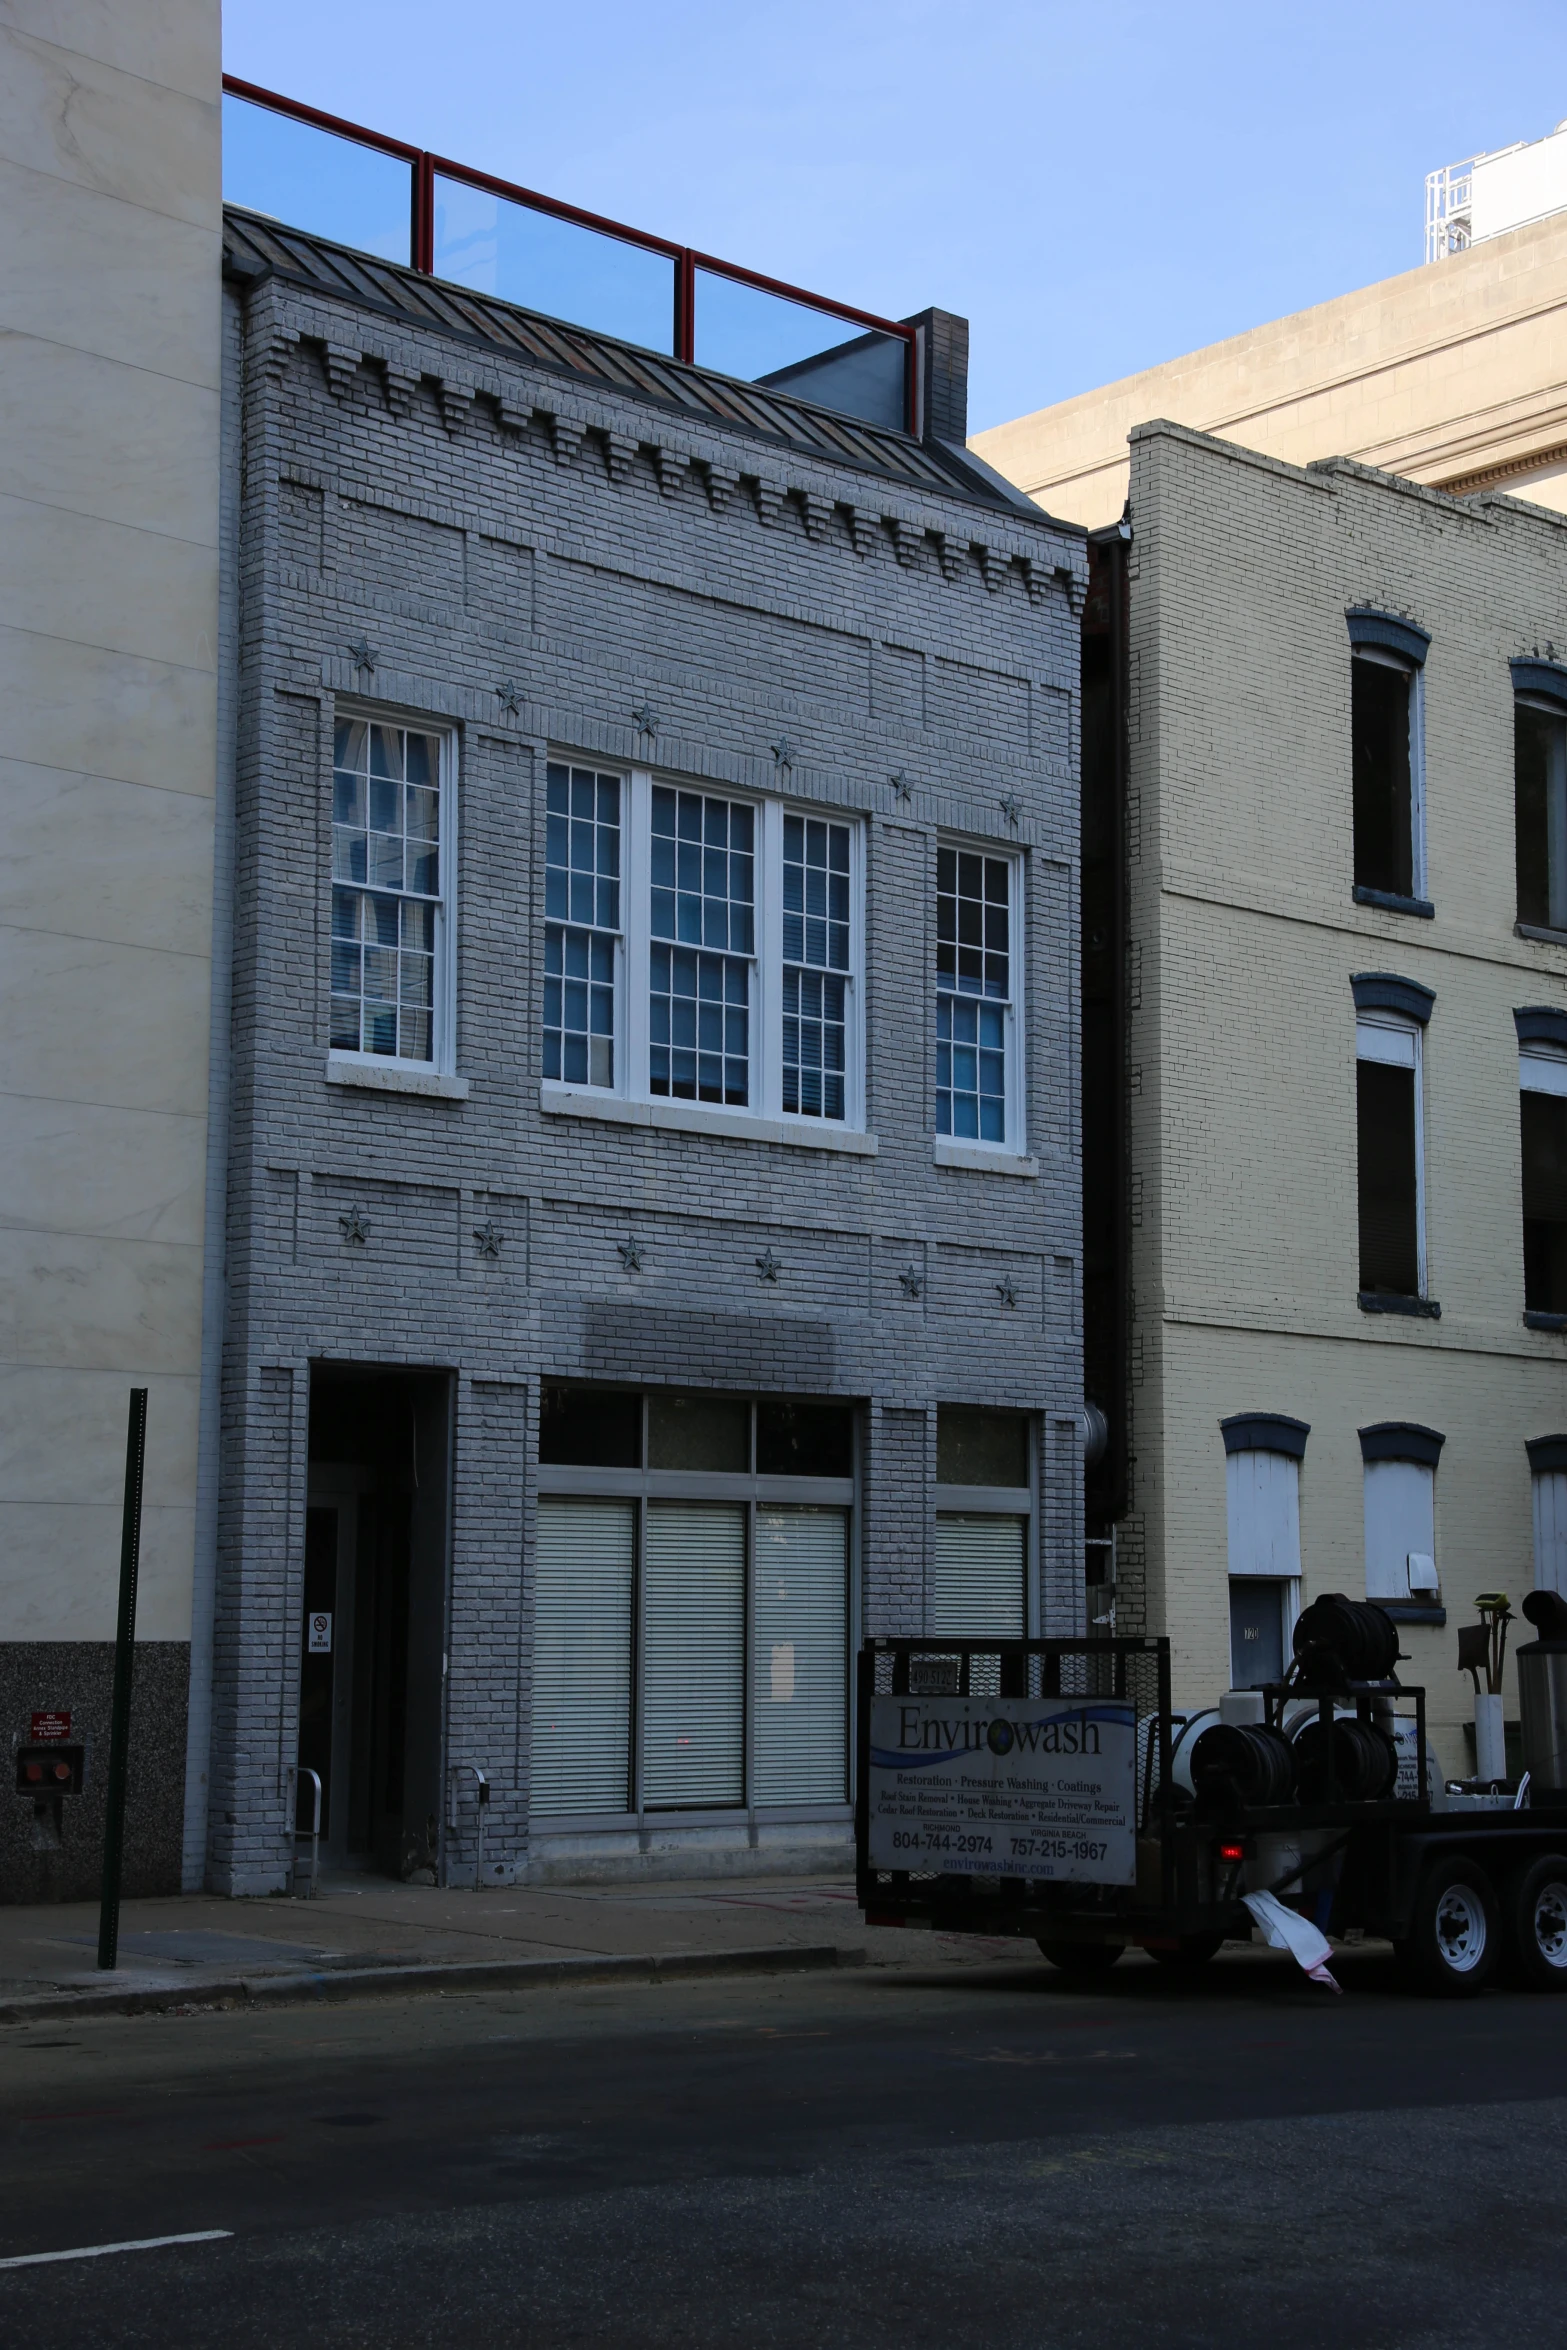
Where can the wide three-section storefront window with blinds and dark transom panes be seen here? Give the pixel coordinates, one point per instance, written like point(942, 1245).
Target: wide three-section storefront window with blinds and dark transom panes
point(692, 1618)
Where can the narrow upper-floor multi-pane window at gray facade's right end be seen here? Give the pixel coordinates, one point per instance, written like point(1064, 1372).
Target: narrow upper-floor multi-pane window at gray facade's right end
point(976, 998)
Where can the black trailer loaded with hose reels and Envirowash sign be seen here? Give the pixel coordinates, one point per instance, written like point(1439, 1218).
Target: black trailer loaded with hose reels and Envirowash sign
point(1049, 1792)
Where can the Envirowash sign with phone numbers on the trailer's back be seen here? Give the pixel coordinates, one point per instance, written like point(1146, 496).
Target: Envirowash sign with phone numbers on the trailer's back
point(1004, 1787)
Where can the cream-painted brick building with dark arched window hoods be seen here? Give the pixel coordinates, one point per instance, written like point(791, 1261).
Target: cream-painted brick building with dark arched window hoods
point(1258, 986)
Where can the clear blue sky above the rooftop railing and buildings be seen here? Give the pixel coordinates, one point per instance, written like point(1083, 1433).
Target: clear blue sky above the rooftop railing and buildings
point(1094, 187)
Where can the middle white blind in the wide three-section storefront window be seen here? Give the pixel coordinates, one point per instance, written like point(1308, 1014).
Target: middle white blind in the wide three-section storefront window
point(694, 1656)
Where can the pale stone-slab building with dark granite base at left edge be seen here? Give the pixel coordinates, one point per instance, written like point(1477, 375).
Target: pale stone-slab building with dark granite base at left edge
point(109, 633)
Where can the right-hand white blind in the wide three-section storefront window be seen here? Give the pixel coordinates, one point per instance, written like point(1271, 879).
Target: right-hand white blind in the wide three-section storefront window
point(800, 1656)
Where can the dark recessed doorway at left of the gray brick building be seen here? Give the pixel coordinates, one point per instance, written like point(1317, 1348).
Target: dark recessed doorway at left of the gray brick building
point(375, 1616)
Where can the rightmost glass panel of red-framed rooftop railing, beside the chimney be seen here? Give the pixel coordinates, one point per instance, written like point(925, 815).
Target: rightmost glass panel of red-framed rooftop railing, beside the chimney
point(788, 347)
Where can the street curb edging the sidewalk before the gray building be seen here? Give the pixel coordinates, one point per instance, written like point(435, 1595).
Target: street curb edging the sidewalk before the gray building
point(398, 1982)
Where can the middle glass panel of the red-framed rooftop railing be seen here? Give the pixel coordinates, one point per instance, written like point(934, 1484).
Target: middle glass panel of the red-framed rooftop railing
point(563, 269)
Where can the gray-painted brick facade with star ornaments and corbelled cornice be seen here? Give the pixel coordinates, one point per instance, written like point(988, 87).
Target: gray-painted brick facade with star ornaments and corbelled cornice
point(483, 525)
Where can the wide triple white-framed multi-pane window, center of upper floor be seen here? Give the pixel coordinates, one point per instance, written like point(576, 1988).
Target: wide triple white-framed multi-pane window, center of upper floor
point(701, 948)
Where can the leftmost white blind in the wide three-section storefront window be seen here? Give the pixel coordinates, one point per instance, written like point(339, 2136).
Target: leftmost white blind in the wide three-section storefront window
point(581, 1656)
